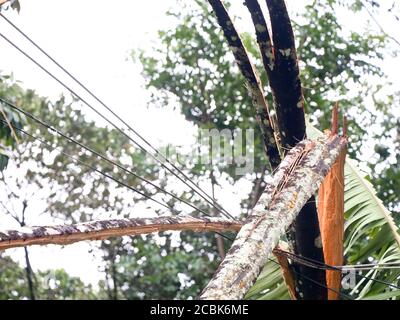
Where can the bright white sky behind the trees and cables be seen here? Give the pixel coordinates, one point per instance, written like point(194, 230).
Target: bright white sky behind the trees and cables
point(93, 40)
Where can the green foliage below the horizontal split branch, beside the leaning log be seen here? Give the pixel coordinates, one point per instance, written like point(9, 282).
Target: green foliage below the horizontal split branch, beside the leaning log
point(164, 267)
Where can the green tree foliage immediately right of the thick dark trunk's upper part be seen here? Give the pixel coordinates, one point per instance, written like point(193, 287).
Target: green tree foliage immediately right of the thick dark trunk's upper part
point(336, 62)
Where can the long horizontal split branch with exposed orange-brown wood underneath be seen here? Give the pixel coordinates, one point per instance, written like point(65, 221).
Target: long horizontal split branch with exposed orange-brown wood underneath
point(102, 229)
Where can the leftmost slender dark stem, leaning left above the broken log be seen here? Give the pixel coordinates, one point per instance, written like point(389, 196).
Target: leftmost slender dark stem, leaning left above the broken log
point(253, 83)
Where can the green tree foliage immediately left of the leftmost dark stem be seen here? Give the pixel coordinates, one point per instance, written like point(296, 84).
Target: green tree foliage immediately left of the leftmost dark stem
point(193, 69)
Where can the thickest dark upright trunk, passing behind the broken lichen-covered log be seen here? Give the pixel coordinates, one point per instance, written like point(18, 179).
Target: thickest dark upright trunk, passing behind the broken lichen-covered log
point(280, 63)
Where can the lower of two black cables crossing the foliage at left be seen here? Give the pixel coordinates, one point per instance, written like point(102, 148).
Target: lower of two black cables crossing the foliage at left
point(101, 172)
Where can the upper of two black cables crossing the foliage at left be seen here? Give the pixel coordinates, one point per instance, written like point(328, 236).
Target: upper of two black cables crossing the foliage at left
point(65, 136)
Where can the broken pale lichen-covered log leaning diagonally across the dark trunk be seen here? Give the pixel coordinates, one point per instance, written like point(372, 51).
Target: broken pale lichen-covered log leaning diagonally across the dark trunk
point(297, 178)
